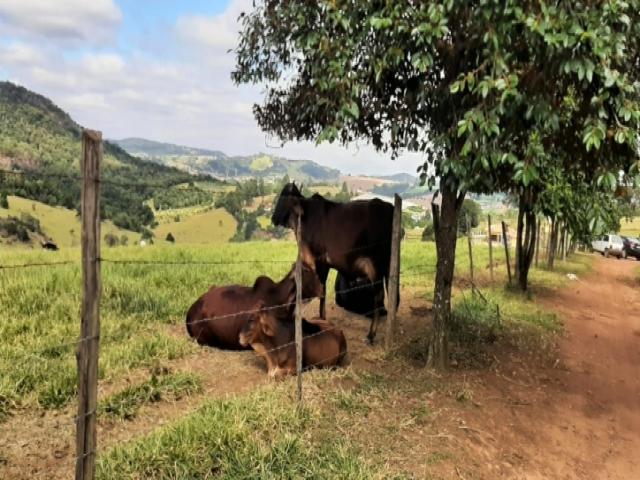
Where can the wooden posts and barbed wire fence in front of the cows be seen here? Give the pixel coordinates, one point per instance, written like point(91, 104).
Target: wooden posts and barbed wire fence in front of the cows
point(90, 339)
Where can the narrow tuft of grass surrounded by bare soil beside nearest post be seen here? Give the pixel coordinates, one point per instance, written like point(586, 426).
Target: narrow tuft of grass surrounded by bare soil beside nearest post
point(173, 386)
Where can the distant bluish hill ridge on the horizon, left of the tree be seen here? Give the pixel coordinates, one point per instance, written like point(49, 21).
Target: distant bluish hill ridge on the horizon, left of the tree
point(218, 164)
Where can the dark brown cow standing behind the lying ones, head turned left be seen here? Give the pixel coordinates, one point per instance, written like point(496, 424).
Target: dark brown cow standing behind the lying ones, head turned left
point(353, 237)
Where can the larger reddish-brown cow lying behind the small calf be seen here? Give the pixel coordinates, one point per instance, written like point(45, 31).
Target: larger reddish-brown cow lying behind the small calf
point(218, 316)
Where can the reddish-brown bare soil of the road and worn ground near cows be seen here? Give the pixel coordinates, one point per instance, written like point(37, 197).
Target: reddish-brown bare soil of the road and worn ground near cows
point(568, 411)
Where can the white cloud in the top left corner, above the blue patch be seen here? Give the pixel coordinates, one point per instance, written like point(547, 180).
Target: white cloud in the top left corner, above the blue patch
point(92, 21)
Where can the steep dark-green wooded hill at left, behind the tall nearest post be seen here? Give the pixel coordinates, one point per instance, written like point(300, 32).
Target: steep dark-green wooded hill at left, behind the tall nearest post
point(43, 142)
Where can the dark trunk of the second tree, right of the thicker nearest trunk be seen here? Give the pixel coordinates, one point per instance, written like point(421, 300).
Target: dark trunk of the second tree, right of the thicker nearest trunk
point(525, 246)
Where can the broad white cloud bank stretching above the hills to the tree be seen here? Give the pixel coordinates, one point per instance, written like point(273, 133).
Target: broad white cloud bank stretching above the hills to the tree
point(188, 100)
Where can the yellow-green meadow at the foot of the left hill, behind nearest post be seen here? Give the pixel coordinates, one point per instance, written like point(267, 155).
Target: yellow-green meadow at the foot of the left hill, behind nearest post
point(59, 223)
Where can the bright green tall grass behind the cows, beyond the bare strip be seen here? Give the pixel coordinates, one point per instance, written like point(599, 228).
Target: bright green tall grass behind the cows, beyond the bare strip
point(40, 306)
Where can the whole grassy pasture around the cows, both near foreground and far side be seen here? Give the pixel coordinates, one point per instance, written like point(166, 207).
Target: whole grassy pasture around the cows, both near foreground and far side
point(148, 363)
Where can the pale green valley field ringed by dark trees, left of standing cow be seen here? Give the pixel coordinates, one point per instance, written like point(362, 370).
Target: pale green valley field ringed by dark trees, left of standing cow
point(206, 227)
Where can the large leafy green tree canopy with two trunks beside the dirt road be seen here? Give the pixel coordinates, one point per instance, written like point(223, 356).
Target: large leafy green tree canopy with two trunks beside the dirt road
point(493, 93)
